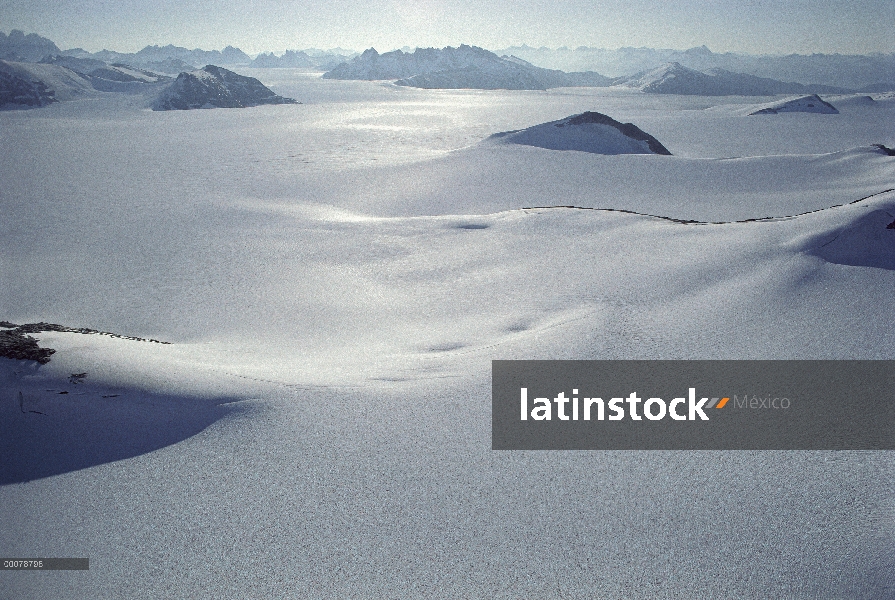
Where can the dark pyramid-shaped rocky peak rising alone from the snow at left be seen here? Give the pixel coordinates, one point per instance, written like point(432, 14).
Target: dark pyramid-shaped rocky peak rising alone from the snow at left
point(214, 87)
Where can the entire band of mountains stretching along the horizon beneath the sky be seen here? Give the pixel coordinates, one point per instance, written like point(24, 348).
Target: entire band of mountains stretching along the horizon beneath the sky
point(36, 72)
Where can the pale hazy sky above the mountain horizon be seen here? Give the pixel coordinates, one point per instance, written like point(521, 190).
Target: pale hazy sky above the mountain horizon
point(755, 26)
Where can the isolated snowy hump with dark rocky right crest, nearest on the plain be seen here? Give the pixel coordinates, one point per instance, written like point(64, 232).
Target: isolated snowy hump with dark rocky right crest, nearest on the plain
point(588, 132)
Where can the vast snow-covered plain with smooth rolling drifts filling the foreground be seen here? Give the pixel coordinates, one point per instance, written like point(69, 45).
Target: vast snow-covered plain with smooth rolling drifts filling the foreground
point(335, 278)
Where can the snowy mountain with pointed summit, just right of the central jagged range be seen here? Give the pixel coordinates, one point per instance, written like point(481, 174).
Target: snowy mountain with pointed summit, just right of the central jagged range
point(674, 78)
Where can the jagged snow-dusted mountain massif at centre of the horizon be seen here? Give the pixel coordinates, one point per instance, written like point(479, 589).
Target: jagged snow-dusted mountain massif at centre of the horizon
point(462, 67)
